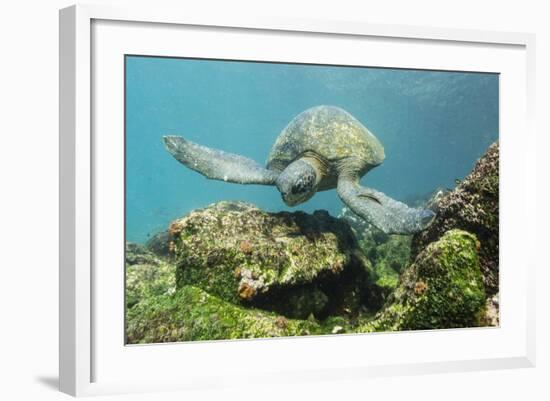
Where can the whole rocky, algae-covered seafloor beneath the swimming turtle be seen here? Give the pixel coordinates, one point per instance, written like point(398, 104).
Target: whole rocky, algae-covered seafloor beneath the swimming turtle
point(232, 271)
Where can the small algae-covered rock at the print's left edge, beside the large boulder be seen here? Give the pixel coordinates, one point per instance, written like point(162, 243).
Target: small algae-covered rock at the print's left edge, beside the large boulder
point(146, 275)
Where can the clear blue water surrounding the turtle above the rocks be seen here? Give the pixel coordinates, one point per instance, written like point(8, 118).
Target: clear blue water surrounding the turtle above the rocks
point(433, 125)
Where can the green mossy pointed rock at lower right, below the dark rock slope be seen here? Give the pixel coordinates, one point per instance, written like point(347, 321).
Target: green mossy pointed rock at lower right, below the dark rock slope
point(443, 288)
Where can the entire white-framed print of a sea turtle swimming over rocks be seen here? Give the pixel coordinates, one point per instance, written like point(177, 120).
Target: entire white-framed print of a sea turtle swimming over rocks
point(238, 195)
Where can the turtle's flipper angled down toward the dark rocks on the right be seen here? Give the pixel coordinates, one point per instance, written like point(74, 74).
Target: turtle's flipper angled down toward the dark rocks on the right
point(385, 213)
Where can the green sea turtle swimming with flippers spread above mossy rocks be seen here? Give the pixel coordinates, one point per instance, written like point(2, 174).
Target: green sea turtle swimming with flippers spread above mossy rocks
point(322, 148)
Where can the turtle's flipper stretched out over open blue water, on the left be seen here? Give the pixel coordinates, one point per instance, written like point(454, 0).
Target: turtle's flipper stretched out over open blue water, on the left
point(217, 164)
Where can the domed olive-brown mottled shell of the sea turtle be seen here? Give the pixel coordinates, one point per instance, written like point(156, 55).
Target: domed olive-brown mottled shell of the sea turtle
point(329, 132)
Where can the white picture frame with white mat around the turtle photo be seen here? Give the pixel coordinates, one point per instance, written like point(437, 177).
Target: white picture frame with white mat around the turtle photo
point(83, 326)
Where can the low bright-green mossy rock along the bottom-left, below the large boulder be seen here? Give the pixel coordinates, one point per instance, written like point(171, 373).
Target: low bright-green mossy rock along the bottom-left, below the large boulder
point(192, 314)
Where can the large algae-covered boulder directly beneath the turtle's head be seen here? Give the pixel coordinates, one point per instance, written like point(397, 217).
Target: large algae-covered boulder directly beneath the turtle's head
point(294, 263)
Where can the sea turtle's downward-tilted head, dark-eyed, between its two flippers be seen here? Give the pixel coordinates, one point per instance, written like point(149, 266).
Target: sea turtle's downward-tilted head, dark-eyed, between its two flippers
point(297, 182)
